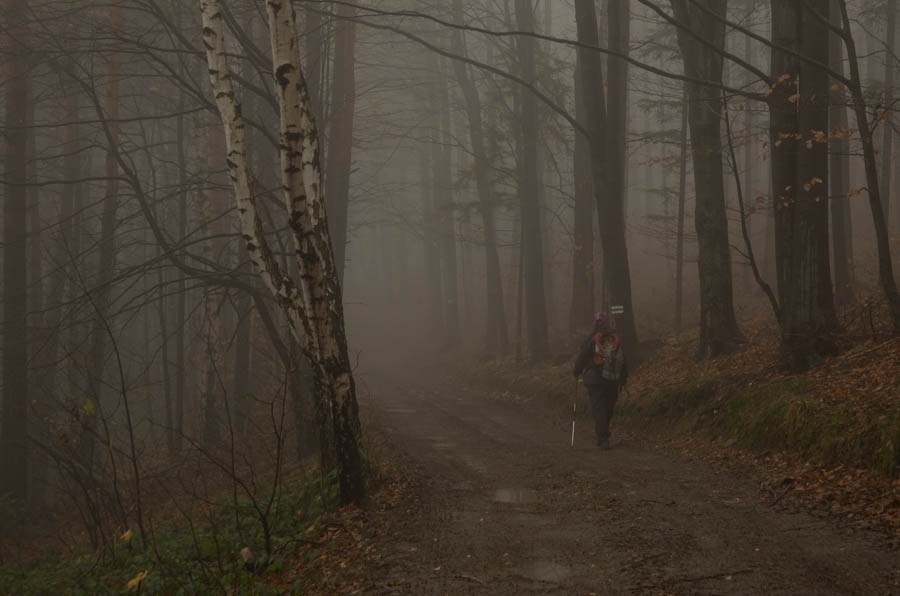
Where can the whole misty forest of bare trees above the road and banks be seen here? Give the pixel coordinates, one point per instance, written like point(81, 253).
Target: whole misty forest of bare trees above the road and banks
point(178, 318)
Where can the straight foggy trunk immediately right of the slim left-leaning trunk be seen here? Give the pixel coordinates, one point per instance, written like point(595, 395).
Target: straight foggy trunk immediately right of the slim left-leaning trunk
point(532, 241)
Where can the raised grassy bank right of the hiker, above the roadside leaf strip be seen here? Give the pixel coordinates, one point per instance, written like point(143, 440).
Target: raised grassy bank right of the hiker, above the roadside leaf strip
point(846, 411)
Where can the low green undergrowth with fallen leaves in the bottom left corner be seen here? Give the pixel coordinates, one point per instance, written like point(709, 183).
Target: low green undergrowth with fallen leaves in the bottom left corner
point(198, 553)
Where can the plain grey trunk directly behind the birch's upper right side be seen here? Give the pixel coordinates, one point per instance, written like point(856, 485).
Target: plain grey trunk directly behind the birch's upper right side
point(340, 140)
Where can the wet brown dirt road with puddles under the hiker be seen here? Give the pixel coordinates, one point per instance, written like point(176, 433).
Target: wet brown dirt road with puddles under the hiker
point(504, 505)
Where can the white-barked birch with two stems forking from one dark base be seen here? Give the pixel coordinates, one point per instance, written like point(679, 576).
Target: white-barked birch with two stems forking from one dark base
point(312, 304)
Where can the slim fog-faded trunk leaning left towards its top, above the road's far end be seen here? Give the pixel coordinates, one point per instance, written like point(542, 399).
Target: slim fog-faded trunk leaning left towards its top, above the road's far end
point(497, 334)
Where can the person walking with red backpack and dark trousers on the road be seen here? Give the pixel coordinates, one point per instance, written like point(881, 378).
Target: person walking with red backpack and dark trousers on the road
point(602, 361)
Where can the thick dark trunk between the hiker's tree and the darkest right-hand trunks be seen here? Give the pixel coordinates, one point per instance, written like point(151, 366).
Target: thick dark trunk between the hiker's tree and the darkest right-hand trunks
point(719, 331)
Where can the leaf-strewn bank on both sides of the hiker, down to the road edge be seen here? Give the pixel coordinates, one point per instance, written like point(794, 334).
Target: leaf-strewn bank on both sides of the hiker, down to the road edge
point(826, 440)
